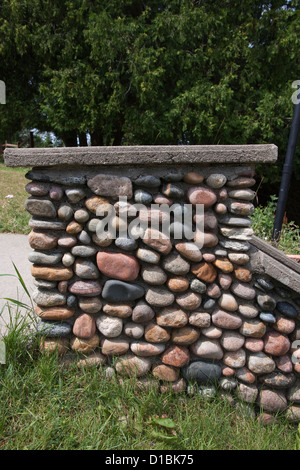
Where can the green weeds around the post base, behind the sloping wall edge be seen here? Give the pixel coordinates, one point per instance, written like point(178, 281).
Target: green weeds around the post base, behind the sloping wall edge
point(263, 222)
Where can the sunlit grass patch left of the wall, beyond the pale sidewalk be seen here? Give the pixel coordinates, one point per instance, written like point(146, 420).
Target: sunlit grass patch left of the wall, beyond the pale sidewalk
point(14, 218)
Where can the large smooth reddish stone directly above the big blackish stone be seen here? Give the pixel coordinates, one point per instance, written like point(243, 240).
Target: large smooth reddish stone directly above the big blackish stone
point(118, 265)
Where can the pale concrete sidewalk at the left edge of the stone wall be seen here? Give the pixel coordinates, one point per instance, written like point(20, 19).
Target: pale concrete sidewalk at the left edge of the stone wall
point(14, 249)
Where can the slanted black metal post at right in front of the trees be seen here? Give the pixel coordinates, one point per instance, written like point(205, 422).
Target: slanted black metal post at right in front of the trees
point(286, 174)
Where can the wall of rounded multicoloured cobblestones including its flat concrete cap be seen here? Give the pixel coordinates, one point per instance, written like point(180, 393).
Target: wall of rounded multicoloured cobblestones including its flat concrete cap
point(158, 307)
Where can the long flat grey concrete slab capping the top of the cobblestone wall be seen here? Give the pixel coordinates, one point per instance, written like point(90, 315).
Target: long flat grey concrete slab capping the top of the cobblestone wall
point(141, 155)
